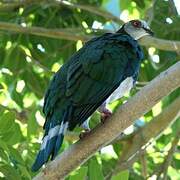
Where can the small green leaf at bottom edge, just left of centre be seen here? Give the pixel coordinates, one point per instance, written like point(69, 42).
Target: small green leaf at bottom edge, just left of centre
point(80, 174)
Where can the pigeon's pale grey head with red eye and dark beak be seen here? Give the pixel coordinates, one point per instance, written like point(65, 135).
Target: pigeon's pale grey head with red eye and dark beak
point(136, 29)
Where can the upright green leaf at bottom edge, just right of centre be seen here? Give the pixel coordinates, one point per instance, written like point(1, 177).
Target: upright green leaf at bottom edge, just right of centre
point(94, 170)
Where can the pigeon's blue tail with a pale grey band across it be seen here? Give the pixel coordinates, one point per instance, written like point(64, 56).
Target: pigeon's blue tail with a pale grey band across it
point(52, 140)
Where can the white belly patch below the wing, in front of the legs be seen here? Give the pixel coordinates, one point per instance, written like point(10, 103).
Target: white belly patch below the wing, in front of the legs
point(124, 88)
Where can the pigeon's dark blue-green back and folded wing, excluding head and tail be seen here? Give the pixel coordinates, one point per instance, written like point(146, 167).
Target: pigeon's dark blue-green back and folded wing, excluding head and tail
point(90, 76)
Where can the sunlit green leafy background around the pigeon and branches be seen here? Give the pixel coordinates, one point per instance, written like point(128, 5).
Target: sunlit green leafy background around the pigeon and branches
point(27, 63)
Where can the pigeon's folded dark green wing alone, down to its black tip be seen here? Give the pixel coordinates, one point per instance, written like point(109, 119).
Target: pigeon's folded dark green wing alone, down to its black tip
point(94, 74)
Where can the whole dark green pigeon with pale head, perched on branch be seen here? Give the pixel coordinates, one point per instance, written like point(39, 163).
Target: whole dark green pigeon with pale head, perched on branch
point(102, 71)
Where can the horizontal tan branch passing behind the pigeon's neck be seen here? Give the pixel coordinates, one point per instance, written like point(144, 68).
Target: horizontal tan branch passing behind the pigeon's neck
point(69, 35)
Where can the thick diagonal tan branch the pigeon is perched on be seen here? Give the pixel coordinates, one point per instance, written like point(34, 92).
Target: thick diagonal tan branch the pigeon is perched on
point(137, 106)
